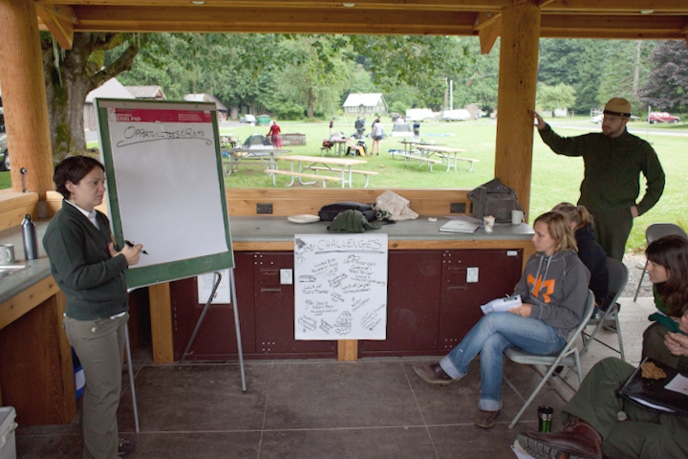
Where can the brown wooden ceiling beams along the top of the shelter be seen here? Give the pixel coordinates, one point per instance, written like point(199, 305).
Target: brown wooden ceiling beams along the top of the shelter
point(629, 19)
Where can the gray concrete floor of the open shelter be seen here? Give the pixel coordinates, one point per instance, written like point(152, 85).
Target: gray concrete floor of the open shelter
point(373, 408)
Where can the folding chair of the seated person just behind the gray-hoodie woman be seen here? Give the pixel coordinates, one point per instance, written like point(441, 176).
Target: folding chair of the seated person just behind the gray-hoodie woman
point(618, 276)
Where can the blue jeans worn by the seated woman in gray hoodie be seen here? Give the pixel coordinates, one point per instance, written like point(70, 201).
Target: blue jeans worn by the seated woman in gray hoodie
point(491, 336)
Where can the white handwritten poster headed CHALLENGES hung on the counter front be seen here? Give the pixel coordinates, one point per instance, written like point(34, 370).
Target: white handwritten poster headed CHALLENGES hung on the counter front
point(340, 286)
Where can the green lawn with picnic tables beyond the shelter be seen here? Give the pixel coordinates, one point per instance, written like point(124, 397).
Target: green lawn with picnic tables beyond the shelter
point(555, 178)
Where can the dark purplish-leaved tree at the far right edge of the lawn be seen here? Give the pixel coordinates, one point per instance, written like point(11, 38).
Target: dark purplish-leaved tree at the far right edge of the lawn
point(667, 86)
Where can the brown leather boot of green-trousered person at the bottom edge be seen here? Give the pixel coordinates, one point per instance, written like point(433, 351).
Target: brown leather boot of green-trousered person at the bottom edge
point(578, 440)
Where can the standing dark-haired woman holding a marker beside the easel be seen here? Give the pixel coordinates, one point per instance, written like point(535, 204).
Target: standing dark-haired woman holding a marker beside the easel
point(90, 272)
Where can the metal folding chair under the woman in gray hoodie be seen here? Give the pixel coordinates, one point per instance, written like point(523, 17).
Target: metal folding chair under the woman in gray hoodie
point(568, 356)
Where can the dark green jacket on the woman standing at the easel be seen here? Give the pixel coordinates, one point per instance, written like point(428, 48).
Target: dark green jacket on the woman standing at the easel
point(93, 281)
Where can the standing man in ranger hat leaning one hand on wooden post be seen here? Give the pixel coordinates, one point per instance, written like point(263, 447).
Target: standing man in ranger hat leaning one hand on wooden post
point(614, 160)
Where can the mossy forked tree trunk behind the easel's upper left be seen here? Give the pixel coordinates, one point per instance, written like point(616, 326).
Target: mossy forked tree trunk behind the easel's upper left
point(70, 75)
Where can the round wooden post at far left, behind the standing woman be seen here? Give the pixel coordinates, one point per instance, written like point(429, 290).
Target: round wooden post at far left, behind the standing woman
point(23, 97)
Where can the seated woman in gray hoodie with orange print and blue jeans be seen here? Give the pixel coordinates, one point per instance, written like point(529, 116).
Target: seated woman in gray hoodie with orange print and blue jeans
point(553, 290)
